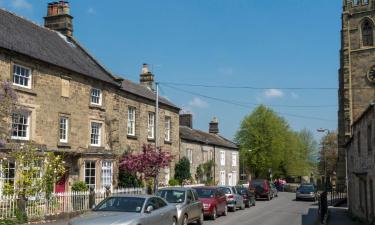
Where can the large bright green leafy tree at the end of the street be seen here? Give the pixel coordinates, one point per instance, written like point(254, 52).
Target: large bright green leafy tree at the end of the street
point(269, 145)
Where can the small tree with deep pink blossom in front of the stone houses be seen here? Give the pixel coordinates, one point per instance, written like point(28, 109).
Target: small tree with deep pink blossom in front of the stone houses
point(146, 164)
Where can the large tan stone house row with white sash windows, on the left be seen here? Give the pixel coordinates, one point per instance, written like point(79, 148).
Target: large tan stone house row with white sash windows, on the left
point(70, 104)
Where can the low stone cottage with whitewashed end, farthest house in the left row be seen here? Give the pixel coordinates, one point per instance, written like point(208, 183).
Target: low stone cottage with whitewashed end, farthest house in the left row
point(200, 147)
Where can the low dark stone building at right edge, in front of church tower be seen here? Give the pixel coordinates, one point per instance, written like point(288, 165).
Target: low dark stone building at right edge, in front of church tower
point(361, 166)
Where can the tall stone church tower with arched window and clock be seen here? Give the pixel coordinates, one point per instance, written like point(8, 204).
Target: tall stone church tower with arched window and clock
point(357, 71)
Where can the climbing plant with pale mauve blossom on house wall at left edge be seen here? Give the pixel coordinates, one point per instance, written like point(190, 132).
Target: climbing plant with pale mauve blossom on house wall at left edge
point(8, 99)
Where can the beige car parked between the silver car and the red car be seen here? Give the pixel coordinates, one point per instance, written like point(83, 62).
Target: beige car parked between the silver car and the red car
point(186, 200)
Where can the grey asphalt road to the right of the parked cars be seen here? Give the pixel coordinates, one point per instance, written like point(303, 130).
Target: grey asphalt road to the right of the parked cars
point(283, 210)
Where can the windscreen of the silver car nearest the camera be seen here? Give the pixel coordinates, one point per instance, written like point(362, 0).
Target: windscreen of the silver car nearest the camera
point(121, 204)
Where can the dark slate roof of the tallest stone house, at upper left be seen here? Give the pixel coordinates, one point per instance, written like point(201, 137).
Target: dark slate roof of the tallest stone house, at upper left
point(22, 36)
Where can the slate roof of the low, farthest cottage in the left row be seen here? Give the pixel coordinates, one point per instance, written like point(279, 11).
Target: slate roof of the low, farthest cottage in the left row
point(194, 135)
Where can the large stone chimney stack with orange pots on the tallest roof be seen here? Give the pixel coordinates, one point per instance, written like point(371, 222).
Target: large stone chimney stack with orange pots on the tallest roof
point(58, 18)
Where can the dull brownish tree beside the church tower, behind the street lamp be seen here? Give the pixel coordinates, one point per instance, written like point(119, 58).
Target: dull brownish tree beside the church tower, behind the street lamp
point(328, 155)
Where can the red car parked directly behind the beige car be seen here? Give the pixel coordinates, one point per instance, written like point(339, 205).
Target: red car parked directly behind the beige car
point(214, 201)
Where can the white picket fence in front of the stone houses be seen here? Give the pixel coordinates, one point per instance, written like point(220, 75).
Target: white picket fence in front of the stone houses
point(57, 203)
